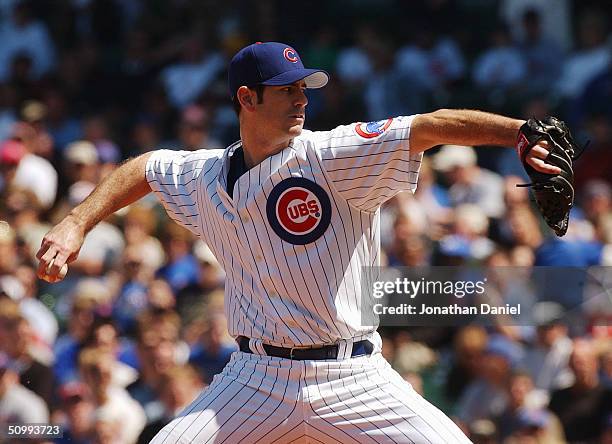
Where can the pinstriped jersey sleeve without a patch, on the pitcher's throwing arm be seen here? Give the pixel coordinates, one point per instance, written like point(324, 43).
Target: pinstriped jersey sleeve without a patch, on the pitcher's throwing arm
point(175, 178)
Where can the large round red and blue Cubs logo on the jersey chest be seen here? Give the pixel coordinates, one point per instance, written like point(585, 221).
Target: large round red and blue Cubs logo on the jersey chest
point(298, 210)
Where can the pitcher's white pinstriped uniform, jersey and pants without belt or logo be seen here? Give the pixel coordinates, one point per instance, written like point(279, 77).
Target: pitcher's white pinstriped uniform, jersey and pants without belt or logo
point(298, 294)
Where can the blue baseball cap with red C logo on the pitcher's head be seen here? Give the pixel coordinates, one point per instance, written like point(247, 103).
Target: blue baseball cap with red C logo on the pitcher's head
point(271, 63)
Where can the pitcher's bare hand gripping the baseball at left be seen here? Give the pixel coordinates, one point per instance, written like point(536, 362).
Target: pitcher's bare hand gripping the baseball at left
point(60, 246)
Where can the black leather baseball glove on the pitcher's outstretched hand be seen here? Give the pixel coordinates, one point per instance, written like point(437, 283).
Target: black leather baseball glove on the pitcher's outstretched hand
point(553, 193)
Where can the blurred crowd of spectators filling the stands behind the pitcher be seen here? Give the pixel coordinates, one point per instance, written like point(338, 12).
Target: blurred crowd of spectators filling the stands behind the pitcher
point(137, 329)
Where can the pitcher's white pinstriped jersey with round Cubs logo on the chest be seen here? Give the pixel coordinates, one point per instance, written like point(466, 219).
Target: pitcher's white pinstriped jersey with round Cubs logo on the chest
point(298, 228)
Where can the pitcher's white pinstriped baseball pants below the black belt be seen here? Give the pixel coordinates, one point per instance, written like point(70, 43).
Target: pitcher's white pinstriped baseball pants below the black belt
point(263, 399)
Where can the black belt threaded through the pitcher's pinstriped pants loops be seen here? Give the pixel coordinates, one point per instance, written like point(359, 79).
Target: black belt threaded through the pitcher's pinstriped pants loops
point(360, 348)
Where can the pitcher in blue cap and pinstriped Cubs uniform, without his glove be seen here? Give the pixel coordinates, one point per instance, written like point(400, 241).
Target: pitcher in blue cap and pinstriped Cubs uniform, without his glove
point(292, 215)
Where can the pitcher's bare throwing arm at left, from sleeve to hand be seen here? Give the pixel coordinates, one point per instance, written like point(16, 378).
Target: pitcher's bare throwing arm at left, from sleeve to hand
point(62, 243)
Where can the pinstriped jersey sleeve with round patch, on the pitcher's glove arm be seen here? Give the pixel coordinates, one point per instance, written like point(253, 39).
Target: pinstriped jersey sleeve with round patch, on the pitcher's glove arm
point(370, 162)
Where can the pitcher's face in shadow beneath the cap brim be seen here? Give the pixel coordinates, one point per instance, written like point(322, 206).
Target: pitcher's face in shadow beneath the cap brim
point(283, 109)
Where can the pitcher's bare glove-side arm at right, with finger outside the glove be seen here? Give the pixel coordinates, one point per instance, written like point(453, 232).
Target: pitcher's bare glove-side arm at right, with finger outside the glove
point(468, 127)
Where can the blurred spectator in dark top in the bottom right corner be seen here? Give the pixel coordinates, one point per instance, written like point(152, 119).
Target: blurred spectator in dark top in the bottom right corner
point(584, 406)
